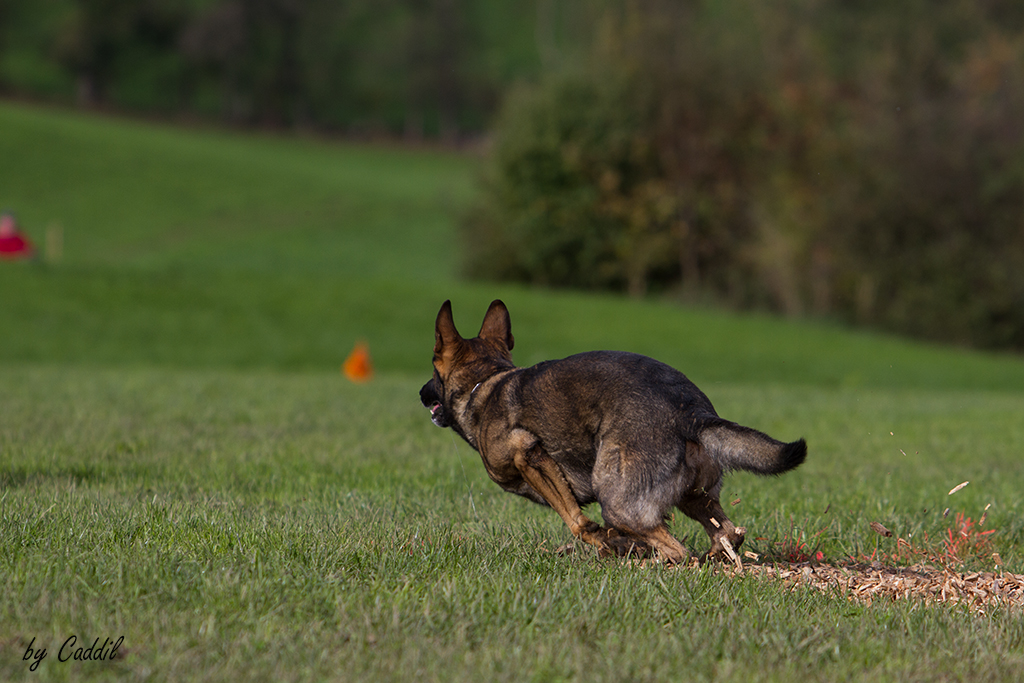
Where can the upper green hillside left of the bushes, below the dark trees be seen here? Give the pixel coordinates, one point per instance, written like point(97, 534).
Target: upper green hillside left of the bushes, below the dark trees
point(130, 194)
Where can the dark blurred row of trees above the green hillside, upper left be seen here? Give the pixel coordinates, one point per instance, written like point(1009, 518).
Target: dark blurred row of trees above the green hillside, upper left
point(414, 68)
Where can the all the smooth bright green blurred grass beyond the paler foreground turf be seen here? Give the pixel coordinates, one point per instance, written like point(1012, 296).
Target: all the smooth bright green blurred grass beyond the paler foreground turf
point(215, 250)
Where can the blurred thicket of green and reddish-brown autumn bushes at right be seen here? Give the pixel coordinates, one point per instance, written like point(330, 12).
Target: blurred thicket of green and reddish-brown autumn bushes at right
point(860, 160)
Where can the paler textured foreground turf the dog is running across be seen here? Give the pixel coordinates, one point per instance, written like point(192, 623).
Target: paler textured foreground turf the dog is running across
point(269, 527)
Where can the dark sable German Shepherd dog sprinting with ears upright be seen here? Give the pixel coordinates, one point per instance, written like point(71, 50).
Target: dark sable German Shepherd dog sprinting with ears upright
point(620, 430)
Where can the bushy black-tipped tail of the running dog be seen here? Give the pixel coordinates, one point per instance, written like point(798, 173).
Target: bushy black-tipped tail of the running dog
point(737, 448)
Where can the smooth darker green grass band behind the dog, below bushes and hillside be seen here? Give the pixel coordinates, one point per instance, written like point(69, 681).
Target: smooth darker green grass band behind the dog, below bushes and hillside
point(252, 320)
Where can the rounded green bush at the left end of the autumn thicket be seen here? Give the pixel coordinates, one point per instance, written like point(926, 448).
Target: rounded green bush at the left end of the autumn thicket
point(576, 184)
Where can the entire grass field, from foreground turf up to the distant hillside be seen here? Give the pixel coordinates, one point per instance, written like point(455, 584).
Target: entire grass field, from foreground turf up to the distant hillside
point(183, 465)
